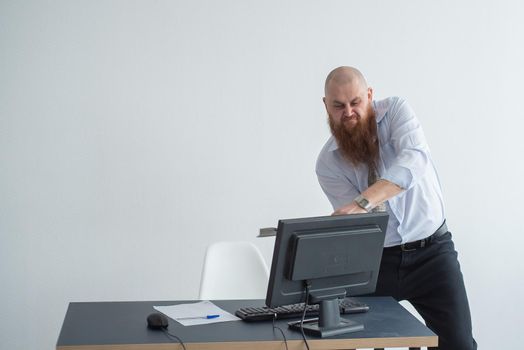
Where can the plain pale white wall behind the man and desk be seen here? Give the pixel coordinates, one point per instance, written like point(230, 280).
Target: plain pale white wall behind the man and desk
point(135, 133)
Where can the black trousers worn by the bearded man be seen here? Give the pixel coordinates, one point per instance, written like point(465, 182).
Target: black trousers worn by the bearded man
point(431, 280)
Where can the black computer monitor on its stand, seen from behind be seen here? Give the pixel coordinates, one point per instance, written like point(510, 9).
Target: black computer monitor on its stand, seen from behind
point(330, 256)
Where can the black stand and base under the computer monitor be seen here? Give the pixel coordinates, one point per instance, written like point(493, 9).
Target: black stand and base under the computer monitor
point(328, 323)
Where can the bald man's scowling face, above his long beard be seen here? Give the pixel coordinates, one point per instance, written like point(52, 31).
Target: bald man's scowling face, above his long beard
point(348, 104)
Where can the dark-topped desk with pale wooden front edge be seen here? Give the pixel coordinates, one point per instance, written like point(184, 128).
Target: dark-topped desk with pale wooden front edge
point(122, 325)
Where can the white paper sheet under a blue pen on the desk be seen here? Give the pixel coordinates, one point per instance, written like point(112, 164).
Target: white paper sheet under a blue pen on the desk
point(199, 309)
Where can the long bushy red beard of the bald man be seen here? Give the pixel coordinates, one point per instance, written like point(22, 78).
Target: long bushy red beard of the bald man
point(360, 144)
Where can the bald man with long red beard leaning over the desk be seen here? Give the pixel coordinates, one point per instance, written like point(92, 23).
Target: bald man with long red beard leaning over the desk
point(377, 159)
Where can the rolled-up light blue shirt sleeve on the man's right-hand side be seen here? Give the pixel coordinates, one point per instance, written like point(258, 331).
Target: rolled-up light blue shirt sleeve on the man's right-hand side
point(410, 146)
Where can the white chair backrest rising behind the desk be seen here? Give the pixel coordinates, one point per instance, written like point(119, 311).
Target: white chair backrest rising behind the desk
point(233, 270)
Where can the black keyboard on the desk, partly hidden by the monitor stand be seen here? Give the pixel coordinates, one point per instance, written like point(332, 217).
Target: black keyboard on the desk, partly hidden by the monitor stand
point(263, 313)
